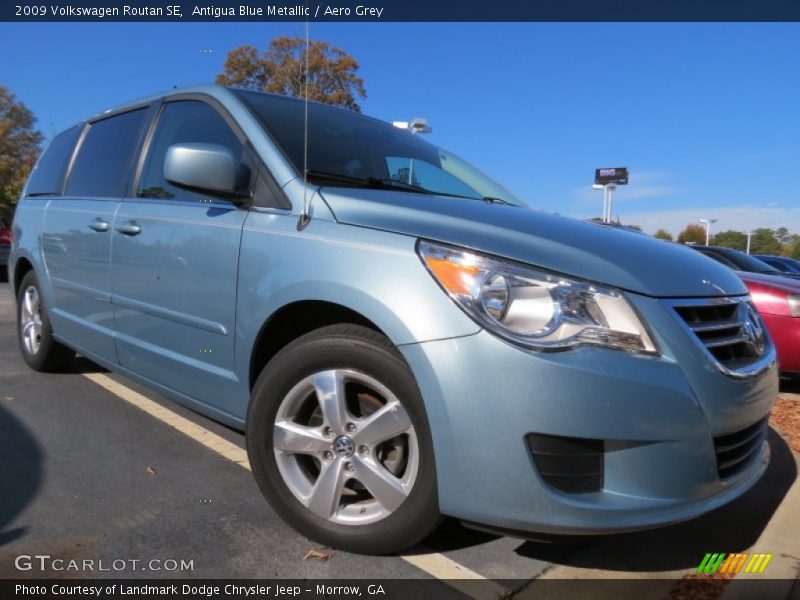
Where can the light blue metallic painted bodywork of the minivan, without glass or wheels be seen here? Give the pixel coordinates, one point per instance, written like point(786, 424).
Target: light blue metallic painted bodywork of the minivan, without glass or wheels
point(180, 307)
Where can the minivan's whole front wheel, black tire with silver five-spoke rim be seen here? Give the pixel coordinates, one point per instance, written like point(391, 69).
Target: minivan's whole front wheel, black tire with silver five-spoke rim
point(375, 382)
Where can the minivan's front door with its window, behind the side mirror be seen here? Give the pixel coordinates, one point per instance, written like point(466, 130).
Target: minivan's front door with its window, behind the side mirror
point(175, 257)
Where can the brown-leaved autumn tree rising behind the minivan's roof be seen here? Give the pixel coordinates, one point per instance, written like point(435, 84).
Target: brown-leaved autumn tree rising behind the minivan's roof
point(332, 73)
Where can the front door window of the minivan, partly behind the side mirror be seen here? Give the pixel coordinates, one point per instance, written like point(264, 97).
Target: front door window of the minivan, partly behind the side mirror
point(187, 121)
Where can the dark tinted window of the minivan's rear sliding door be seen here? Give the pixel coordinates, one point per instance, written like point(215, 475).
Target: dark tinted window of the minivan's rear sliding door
point(104, 158)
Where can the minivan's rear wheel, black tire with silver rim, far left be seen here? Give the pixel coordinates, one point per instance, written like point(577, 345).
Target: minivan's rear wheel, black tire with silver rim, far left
point(39, 348)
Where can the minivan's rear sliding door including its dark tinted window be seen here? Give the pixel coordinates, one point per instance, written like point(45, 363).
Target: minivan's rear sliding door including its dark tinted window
point(76, 237)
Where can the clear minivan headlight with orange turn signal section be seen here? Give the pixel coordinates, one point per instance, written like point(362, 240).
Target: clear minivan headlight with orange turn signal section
point(534, 308)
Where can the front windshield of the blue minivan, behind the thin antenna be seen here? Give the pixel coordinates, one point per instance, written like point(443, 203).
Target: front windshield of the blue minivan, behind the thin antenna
point(344, 145)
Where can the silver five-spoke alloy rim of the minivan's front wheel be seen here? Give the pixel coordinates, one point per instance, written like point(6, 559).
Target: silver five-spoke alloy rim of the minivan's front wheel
point(345, 447)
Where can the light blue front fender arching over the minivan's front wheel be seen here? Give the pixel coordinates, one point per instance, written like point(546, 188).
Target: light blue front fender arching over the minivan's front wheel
point(374, 273)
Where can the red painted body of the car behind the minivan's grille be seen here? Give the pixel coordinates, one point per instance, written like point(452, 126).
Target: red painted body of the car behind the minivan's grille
point(778, 301)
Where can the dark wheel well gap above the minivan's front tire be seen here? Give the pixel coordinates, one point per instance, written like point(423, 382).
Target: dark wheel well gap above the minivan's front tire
point(296, 319)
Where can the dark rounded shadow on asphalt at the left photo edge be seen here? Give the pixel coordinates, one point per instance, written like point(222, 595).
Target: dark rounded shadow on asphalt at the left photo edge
point(20, 472)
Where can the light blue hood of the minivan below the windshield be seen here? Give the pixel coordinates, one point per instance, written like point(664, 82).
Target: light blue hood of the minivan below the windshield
point(624, 259)
